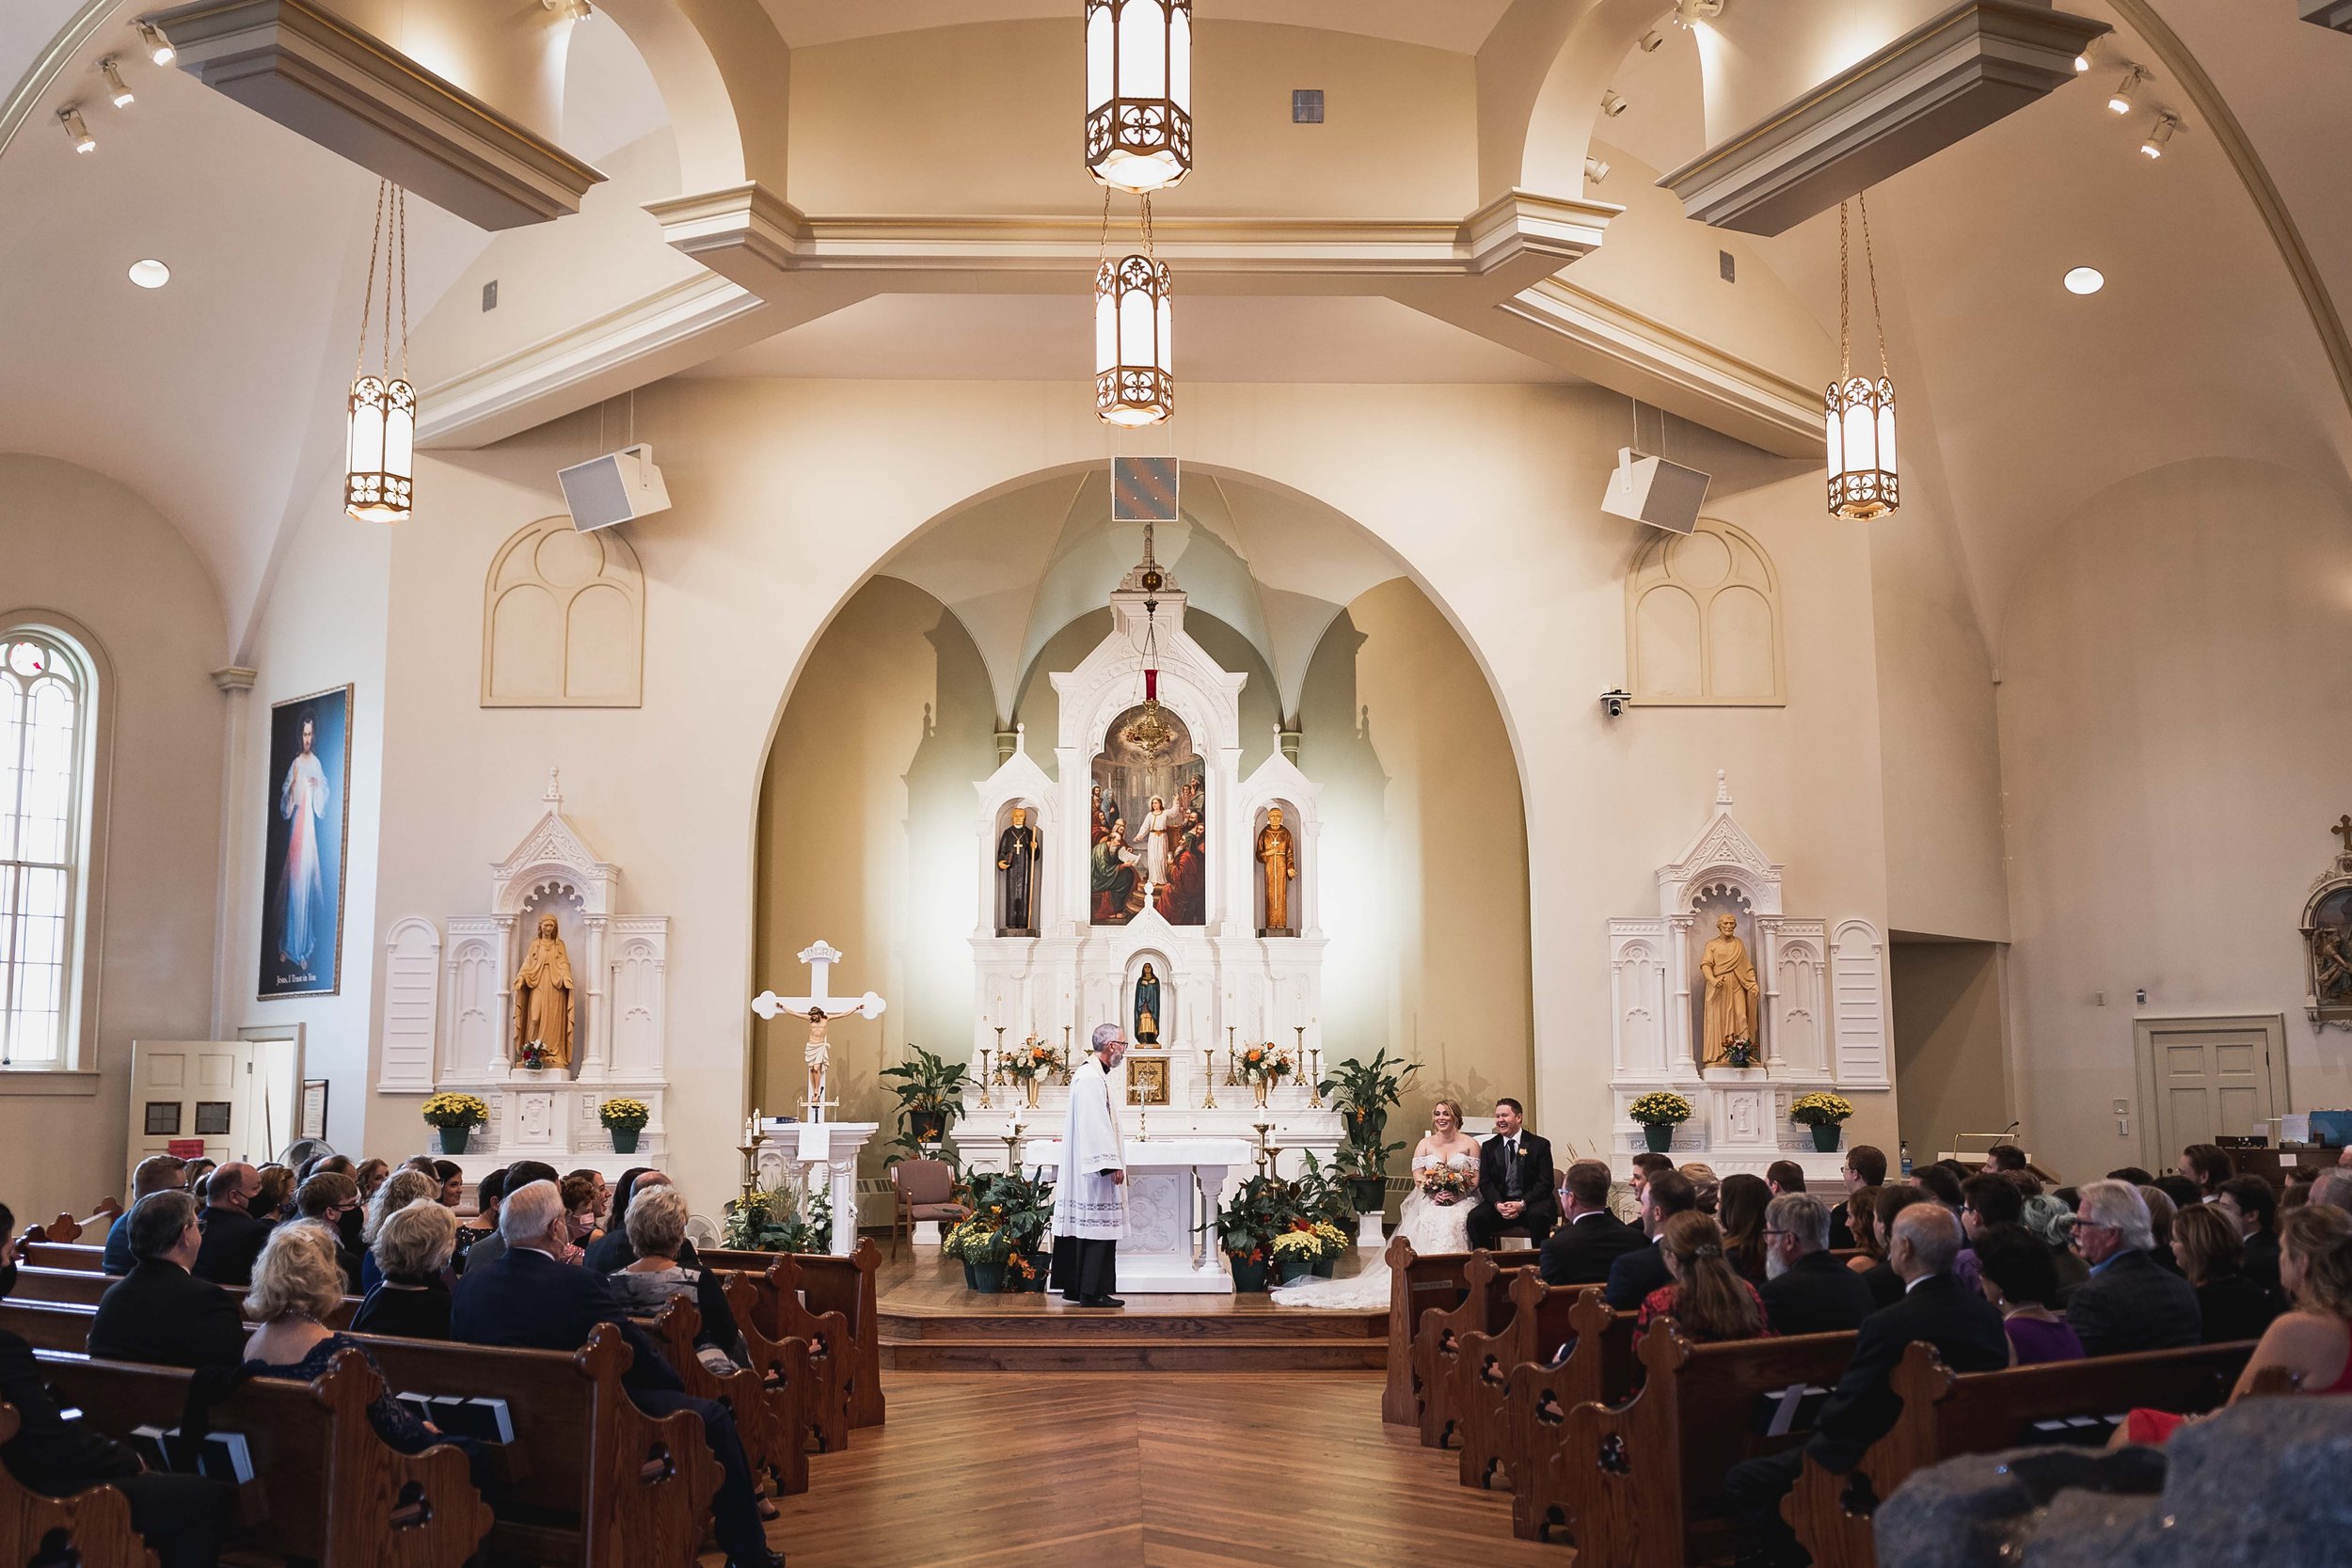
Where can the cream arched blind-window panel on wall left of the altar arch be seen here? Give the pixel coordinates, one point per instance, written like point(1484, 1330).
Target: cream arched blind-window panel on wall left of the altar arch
point(563, 622)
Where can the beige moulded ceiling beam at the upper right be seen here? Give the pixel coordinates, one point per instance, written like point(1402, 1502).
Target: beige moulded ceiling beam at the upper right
point(1939, 83)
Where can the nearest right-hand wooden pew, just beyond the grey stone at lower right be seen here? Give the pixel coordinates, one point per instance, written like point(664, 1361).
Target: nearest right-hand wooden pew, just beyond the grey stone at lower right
point(1949, 1414)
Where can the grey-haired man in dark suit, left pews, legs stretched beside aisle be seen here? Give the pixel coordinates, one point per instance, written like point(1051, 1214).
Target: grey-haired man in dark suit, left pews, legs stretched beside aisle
point(533, 1301)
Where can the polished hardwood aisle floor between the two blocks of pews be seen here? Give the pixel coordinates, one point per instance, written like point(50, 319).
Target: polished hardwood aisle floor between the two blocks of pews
point(1161, 1470)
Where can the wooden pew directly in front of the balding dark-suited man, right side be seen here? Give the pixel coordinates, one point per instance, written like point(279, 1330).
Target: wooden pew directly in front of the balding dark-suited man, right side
point(1643, 1480)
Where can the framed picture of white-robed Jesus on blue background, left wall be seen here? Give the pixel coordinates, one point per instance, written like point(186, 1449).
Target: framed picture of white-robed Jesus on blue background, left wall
point(307, 803)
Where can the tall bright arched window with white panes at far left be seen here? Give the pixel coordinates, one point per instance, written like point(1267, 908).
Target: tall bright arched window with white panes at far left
point(46, 709)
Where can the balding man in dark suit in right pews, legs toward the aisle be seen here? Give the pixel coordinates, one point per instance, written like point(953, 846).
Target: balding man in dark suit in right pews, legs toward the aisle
point(1937, 1308)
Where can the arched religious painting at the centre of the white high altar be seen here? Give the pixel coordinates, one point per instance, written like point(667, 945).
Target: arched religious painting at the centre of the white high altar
point(1149, 822)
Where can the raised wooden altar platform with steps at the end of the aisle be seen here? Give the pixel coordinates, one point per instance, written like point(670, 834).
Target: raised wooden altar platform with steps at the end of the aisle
point(933, 1322)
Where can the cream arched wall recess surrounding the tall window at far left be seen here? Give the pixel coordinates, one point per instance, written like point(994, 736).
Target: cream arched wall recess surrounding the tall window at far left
point(91, 549)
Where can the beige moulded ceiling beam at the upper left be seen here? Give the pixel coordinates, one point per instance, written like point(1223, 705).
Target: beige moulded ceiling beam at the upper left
point(361, 98)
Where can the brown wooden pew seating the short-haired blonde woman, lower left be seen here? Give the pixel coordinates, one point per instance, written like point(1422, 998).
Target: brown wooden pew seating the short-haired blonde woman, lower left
point(330, 1489)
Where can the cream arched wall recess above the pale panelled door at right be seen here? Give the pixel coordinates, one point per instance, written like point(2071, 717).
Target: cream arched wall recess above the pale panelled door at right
point(2177, 735)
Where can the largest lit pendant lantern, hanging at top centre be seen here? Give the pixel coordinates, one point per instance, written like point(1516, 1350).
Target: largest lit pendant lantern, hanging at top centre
point(1140, 93)
